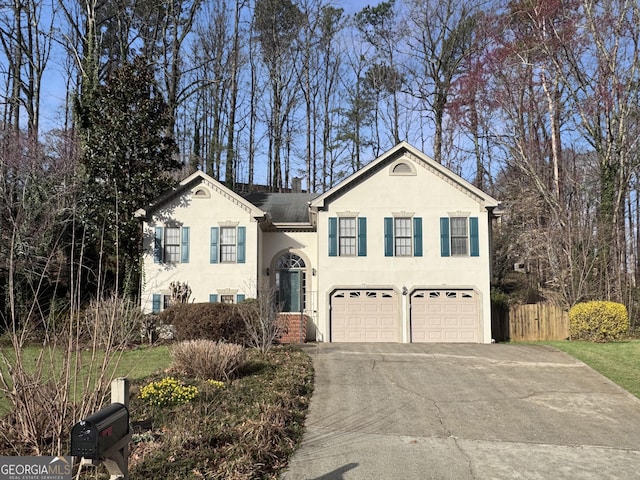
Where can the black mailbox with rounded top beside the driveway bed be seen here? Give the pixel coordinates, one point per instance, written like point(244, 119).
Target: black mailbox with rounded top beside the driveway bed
point(94, 436)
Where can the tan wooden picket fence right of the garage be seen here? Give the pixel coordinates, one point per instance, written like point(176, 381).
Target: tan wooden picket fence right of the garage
point(532, 322)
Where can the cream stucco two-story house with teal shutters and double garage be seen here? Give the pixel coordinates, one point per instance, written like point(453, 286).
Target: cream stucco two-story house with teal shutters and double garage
point(400, 251)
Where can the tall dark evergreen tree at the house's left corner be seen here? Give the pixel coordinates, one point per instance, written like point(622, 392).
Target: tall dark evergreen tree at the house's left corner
point(127, 152)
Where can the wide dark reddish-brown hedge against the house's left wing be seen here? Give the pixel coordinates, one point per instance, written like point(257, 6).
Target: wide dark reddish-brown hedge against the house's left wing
point(219, 322)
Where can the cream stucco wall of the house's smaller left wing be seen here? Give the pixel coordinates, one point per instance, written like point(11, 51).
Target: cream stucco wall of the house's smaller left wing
point(204, 278)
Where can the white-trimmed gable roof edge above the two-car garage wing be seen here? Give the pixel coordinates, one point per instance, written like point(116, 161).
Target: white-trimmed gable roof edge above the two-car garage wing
point(404, 150)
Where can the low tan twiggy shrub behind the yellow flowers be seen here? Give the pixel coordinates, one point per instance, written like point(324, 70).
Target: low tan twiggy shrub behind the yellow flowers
point(208, 360)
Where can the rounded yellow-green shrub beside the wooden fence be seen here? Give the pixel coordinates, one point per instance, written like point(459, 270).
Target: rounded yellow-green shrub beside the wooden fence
point(598, 321)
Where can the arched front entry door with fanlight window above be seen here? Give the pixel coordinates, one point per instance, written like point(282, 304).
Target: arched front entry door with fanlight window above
point(291, 281)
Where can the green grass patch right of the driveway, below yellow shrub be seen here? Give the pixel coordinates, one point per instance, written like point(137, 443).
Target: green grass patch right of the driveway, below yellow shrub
point(618, 361)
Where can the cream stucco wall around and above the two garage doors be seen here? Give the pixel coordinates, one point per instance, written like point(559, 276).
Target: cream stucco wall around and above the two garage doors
point(423, 195)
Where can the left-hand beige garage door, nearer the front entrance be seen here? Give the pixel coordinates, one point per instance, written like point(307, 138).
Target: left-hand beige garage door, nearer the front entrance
point(365, 316)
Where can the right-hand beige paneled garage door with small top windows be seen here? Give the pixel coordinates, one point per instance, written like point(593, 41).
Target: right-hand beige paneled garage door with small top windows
point(445, 316)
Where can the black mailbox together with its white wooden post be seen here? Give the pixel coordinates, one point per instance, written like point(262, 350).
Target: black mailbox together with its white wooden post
point(104, 436)
